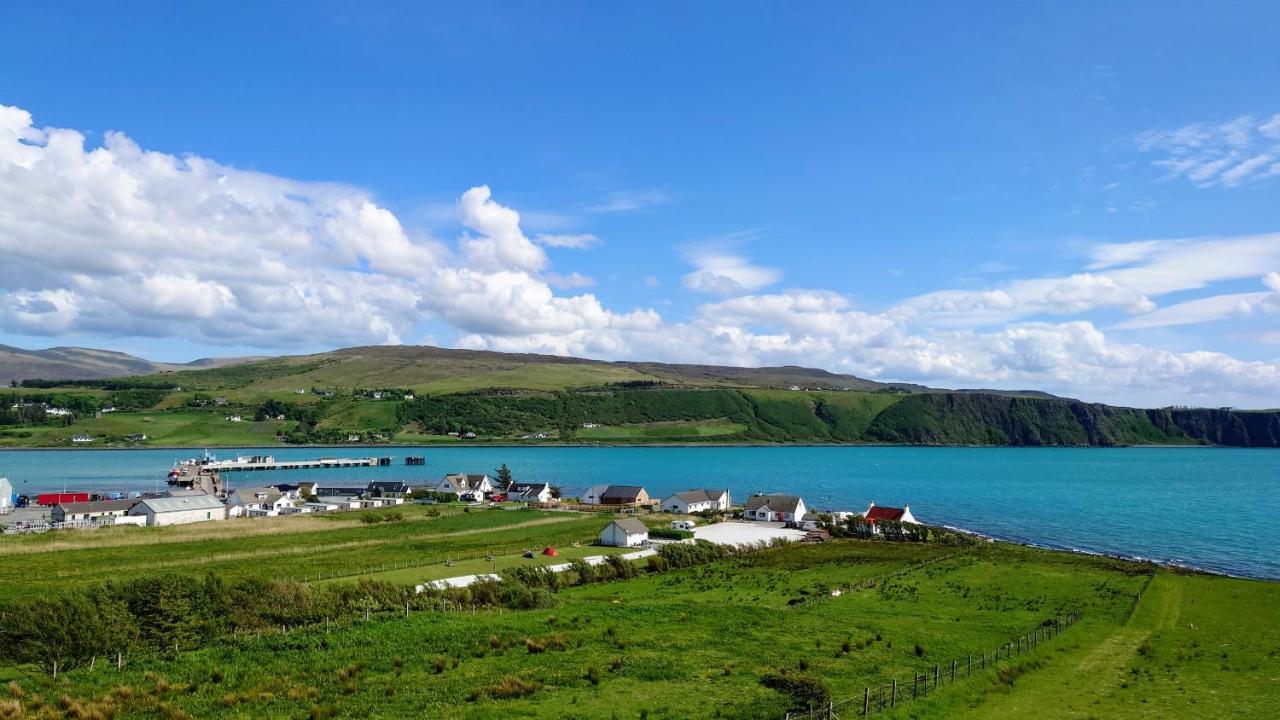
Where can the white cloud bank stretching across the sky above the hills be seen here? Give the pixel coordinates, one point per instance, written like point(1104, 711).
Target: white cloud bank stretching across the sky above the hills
point(118, 241)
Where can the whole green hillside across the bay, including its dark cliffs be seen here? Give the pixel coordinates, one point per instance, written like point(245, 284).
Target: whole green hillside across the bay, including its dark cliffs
point(424, 395)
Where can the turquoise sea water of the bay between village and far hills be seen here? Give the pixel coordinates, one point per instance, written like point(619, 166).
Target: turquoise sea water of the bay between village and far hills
point(1215, 509)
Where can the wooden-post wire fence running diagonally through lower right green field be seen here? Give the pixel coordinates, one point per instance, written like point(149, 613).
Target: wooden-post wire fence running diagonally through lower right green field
point(888, 696)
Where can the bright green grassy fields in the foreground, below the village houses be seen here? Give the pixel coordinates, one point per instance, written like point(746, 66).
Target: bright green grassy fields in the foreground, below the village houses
point(694, 644)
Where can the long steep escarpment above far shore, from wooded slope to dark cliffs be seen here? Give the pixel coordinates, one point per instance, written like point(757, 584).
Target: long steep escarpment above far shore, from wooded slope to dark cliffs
point(941, 418)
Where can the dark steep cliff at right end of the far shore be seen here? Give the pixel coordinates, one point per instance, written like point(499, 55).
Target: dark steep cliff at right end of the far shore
point(986, 420)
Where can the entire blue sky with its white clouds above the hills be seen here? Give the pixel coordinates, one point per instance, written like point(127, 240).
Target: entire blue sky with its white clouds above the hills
point(1077, 197)
